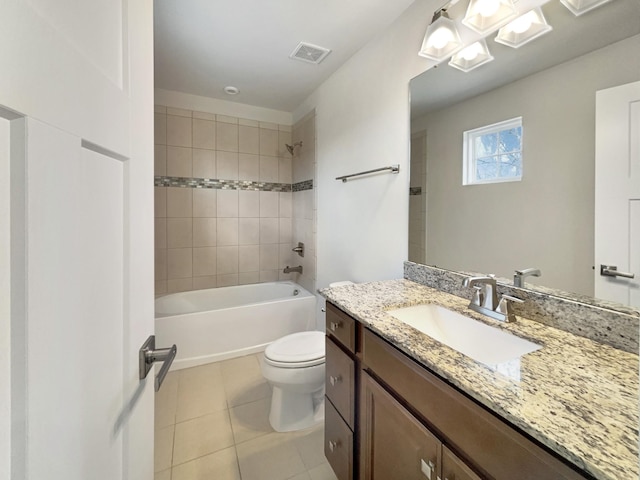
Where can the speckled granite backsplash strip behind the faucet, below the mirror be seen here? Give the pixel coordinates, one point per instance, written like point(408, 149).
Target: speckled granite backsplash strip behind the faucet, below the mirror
point(613, 324)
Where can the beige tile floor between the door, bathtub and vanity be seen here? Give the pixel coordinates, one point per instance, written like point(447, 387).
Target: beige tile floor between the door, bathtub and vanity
point(212, 423)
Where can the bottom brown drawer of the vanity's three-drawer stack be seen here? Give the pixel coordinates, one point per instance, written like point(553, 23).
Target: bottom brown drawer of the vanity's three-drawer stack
point(338, 443)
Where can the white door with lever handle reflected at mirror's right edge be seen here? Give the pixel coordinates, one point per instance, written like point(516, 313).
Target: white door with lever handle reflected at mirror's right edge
point(617, 220)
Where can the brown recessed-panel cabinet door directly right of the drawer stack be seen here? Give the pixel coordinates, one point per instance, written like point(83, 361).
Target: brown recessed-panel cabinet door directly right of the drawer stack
point(394, 445)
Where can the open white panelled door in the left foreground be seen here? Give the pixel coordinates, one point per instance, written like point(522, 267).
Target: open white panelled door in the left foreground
point(76, 91)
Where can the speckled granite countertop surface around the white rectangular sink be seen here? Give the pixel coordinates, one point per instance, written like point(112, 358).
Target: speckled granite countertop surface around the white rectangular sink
point(576, 396)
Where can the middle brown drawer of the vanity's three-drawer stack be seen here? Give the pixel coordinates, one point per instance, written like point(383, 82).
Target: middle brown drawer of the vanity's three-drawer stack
point(340, 373)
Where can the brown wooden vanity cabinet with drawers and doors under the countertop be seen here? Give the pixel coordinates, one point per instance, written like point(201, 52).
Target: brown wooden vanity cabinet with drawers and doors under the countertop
point(403, 422)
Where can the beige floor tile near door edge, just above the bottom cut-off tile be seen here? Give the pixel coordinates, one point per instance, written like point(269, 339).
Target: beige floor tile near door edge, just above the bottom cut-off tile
point(202, 436)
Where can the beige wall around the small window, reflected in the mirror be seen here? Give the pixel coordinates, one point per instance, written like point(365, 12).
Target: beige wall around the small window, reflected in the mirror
point(546, 220)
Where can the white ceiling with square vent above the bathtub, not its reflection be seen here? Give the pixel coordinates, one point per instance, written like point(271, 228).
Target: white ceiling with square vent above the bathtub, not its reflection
point(201, 46)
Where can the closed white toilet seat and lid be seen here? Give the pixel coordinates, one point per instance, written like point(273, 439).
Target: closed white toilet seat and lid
point(298, 350)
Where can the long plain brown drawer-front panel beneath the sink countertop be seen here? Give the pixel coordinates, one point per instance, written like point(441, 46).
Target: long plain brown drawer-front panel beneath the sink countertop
point(497, 450)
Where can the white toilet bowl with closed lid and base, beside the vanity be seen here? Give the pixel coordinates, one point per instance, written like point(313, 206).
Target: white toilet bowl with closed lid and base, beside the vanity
point(294, 366)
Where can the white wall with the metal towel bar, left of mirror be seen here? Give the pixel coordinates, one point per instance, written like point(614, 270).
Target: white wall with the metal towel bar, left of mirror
point(362, 122)
